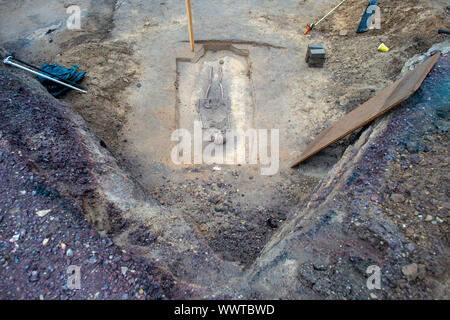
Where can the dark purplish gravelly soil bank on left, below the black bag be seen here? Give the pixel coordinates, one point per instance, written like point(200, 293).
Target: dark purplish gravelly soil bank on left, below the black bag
point(43, 166)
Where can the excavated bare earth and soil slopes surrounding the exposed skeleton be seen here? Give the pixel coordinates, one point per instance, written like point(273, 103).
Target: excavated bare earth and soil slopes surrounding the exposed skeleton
point(238, 228)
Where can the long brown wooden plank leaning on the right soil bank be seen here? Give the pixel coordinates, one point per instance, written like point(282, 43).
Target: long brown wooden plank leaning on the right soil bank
point(384, 101)
